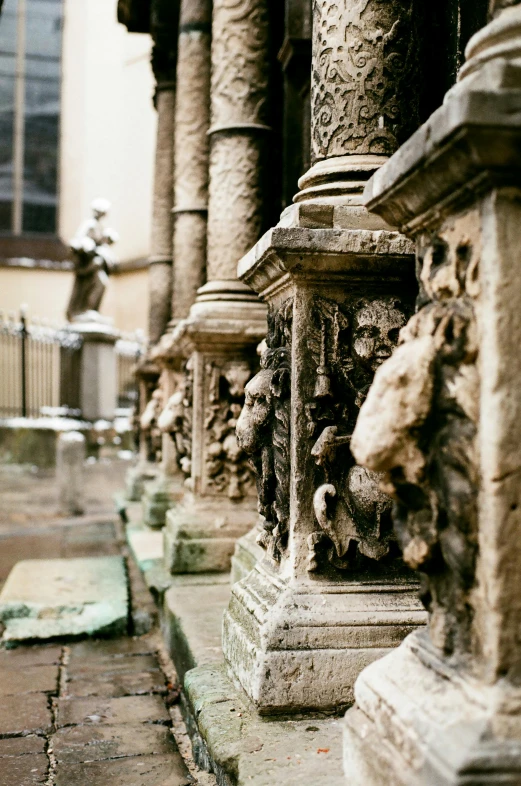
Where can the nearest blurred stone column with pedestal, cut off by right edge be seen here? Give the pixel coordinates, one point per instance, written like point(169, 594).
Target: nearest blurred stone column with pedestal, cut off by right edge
point(443, 423)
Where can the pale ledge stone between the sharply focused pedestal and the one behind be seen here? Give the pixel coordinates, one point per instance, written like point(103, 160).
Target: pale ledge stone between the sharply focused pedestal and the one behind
point(193, 622)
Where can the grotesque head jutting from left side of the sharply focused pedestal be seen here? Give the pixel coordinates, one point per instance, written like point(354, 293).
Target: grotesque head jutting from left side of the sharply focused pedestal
point(252, 426)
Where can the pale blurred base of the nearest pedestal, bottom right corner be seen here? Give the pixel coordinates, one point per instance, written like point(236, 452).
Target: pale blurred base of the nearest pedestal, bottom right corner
point(398, 735)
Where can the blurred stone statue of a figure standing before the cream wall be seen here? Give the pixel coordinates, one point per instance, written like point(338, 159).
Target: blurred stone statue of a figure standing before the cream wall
point(93, 261)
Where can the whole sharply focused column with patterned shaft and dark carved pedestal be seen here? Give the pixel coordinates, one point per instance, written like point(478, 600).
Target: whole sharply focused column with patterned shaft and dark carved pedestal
point(332, 593)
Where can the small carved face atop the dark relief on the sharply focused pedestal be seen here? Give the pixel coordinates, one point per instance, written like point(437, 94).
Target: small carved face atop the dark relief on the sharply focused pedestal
point(376, 327)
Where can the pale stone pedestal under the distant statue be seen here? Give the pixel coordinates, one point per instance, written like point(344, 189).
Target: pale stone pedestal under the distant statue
point(97, 368)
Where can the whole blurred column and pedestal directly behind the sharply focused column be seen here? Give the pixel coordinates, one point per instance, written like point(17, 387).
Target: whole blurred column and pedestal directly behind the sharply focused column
point(226, 322)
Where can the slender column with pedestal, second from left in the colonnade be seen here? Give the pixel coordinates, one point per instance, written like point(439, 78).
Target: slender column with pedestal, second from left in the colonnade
point(192, 115)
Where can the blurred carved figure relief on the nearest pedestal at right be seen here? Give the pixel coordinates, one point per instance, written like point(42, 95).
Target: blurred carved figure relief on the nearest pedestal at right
point(419, 425)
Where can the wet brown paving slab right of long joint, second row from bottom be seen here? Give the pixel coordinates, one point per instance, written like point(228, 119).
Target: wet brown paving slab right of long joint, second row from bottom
point(76, 744)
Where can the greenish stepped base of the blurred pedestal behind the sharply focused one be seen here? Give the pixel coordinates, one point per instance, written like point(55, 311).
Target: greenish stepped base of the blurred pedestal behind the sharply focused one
point(200, 534)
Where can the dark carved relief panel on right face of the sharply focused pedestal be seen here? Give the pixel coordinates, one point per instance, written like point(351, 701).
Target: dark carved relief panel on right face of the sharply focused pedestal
point(347, 345)
